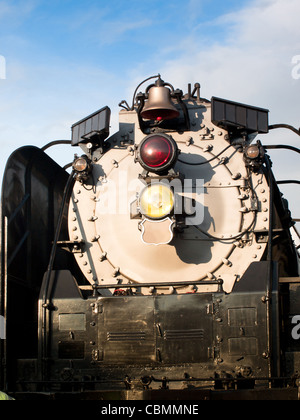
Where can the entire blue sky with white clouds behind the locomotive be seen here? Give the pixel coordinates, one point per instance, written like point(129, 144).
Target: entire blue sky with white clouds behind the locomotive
point(65, 59)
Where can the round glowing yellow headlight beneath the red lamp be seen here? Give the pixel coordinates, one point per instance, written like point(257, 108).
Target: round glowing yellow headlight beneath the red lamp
point(156, 201)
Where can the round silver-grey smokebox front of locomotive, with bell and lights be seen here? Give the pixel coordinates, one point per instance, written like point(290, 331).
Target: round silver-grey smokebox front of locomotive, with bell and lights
point(170, 200)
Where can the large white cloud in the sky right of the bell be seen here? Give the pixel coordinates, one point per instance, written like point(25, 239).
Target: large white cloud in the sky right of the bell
point(253, 63)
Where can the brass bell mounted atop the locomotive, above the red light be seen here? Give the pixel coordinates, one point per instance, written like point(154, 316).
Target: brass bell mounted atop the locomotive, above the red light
point(159, 105)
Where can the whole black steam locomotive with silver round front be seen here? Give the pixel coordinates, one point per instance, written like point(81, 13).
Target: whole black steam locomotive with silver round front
point(159, 264)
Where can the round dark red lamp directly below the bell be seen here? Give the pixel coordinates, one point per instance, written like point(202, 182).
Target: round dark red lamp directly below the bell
point(157, 152)
